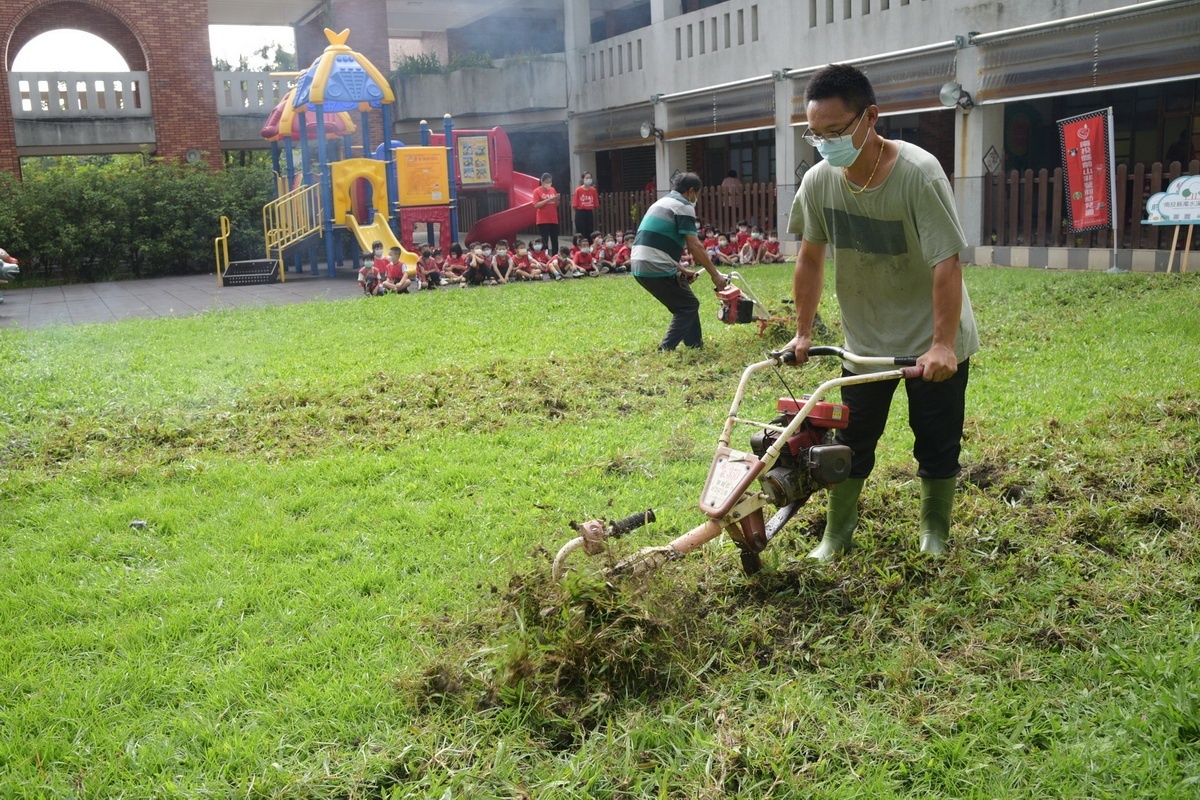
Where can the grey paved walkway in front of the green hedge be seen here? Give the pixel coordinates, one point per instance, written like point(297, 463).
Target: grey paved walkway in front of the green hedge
point(172, 297)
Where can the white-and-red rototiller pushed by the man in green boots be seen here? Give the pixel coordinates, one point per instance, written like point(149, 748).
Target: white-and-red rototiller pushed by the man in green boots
point(789, 460)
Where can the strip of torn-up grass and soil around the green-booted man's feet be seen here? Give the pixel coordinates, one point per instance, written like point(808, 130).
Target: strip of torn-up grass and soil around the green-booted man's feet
point(1094, 522)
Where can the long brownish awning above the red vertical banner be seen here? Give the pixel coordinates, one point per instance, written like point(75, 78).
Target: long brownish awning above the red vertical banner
point(1141, 47)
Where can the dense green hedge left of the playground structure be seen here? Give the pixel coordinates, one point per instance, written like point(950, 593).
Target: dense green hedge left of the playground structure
point(93, 220)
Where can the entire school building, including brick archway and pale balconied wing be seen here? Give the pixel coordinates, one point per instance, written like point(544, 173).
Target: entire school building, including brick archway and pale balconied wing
point(638, 91)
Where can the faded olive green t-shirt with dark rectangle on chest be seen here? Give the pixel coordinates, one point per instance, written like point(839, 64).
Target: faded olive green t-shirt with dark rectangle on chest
point(885, 244)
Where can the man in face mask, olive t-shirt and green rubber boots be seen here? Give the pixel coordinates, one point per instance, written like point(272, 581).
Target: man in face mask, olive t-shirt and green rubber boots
point(886, 210)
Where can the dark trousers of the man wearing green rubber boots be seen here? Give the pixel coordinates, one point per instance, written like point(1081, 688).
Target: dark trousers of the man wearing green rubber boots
point(935, 416)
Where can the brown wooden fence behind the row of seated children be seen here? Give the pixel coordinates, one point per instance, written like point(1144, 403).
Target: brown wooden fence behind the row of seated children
point(754, 203)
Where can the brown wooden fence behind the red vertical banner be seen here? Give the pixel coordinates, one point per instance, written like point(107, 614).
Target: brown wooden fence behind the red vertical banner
point(1027, 209)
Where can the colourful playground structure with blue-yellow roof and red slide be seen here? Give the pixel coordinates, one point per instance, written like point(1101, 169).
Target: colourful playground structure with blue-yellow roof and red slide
point(380, 197)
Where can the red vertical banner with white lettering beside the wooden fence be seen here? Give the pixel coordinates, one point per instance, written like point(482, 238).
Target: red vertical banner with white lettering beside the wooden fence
point(1088, 167)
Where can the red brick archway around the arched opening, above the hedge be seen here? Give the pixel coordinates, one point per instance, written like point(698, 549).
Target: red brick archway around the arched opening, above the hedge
point(170, 43)
